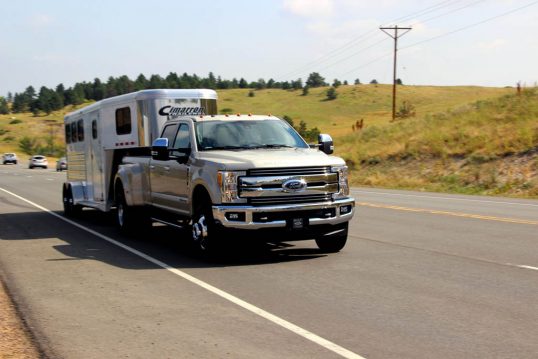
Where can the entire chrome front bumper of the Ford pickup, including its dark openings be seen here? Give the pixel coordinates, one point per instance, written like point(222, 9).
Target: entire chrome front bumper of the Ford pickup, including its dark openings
point(293, 216)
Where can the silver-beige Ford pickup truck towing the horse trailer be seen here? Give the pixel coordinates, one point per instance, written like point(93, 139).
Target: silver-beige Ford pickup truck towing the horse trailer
point(245, 175)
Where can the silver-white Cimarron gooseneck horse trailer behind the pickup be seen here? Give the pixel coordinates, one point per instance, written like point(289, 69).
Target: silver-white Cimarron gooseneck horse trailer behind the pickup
point(100, 135)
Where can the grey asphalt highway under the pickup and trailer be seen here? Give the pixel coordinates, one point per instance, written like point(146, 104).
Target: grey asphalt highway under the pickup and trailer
point(423, 276)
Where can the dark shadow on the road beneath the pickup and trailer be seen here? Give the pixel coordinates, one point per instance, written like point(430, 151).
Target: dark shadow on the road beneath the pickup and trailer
point(163, 243)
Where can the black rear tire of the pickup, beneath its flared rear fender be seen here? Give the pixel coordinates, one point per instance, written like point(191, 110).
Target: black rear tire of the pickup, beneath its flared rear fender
point(130, 220)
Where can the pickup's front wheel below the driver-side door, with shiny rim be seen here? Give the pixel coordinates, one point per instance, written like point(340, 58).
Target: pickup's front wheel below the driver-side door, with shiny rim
point(203, 227)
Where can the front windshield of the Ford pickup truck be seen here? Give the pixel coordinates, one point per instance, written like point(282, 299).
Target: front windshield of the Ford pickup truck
point(246, 134)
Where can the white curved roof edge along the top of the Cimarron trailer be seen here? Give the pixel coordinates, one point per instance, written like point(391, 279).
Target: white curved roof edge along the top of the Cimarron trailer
point(148, 95)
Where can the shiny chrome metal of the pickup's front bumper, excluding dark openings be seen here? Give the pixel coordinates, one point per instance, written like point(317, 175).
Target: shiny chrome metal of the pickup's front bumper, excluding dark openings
point(221, 214)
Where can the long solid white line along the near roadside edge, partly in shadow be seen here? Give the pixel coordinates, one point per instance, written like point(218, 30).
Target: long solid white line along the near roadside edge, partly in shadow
point(245, 305)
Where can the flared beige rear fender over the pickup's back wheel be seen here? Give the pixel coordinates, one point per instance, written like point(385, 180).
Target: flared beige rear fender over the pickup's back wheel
point(132, 178)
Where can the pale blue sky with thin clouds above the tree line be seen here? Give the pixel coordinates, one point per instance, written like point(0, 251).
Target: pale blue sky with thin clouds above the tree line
point(452, 42)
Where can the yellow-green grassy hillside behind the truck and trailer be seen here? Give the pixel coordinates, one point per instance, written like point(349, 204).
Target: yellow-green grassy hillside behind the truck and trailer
point(460, 139)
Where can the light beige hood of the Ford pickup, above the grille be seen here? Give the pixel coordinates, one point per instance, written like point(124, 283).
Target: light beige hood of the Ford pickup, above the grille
point(235, 160)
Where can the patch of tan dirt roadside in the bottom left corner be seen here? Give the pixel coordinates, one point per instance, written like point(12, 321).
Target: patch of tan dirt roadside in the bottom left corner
point(15, 342)
